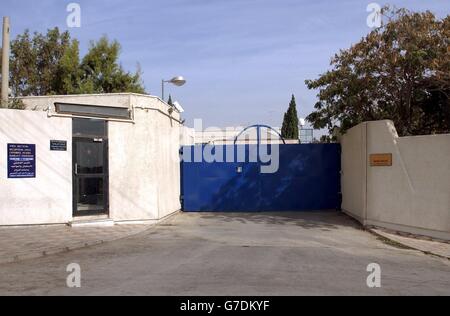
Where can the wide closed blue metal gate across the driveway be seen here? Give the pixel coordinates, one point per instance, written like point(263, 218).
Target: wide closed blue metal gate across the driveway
point(308, 178)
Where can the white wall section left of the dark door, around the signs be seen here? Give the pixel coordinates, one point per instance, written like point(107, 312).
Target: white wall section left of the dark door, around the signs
point(46, 199)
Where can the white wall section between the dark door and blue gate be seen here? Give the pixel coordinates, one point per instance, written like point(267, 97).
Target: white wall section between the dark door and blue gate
point(144, 167)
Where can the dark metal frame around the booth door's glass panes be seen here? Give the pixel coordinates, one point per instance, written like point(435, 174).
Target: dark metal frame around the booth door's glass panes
point(104, 176)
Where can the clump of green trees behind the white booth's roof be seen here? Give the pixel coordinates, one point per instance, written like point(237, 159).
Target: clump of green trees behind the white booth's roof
point(50, 64)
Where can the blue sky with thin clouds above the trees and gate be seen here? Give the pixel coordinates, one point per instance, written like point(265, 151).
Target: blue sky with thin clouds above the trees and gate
point(242, 58)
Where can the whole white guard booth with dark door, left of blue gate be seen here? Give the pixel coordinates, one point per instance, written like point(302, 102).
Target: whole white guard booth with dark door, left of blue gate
point(74, 157)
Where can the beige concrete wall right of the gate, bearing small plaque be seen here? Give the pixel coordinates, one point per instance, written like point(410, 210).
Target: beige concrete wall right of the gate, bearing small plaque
point(412, 195)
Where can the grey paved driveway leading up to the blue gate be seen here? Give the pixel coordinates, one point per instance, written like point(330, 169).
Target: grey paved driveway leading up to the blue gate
point(236, 254)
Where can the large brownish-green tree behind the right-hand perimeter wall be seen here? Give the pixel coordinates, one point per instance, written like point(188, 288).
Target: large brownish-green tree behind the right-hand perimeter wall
point(400, 71)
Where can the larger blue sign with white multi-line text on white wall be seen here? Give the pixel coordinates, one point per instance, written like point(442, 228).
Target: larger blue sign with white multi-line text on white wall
point(21, 161)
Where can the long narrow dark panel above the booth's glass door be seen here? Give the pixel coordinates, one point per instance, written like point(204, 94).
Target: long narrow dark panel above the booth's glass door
point(93, 110)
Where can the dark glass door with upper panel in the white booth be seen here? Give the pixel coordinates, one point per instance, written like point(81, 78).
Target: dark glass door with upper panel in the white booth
point(90, 167)
